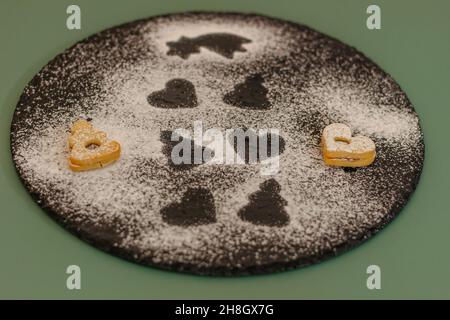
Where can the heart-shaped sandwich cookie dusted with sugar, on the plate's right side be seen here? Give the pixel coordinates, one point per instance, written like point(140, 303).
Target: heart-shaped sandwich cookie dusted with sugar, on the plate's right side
point(340, 148)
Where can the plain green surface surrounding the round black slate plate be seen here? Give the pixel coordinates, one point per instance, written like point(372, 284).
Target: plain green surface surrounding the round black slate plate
point(413, 251)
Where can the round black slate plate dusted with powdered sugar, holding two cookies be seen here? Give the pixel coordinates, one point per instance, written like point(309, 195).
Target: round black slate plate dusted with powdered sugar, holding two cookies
point(144, 81)
